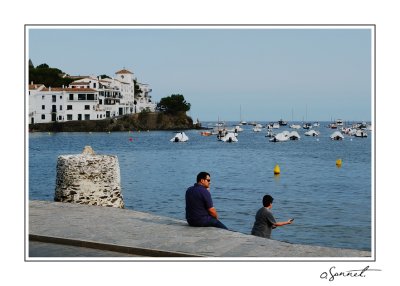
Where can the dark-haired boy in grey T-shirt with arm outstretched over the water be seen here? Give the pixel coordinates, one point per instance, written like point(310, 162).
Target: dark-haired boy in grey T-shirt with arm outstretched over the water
point(265, 221)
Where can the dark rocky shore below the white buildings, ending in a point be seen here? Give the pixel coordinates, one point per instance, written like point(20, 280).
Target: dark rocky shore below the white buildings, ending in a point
point(138, 121)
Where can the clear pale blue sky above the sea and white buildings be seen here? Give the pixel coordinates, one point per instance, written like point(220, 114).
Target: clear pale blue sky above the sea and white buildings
point(230, 73)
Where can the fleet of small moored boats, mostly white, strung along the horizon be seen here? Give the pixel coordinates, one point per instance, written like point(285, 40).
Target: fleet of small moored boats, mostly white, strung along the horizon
point(230, 134)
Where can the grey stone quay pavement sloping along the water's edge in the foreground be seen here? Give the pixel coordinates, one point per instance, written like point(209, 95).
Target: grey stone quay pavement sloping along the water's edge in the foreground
point(136, 233)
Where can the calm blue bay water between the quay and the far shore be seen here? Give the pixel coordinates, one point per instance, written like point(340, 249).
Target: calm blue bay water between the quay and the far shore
point(331, 206)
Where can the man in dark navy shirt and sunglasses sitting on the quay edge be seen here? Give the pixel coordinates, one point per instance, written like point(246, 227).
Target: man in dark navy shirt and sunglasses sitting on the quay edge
point(199, 206)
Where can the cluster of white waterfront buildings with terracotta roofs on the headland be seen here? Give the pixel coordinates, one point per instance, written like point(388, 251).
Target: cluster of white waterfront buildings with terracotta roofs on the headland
point(89, 98)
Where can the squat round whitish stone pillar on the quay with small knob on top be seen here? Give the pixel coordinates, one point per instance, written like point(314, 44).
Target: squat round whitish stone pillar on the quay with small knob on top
point(89, 179)
